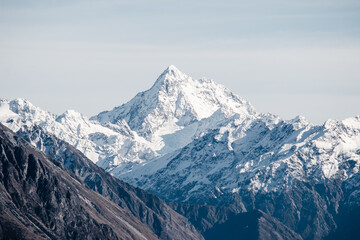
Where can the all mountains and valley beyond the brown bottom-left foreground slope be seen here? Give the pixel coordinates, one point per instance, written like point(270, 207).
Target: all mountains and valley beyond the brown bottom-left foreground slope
point(233, 172)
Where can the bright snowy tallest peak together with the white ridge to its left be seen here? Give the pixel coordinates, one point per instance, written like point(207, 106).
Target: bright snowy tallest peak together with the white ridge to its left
point(176, 110)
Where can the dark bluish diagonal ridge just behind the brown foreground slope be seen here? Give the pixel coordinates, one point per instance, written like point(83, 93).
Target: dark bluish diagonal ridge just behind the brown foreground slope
point(149, 209)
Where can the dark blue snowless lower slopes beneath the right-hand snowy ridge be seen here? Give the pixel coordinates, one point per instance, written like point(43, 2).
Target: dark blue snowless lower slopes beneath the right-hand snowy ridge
point(310, 210)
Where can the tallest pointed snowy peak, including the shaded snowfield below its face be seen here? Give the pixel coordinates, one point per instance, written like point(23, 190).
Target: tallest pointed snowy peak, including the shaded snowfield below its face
point(177, 109)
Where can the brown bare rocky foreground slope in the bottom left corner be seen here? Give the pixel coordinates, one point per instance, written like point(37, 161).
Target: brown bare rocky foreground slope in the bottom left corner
point(41, 199)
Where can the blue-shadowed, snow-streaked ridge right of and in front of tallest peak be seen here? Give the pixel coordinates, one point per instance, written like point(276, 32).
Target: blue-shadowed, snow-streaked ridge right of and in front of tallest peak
point(265, 156)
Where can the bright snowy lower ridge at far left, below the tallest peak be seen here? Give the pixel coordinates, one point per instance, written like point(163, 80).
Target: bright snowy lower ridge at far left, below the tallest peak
point(106, 145)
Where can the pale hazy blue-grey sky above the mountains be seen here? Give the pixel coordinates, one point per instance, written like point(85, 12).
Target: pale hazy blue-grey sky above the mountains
point(286, 57)
